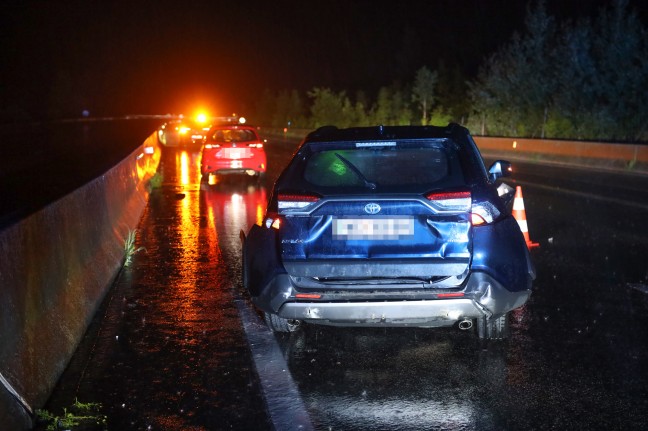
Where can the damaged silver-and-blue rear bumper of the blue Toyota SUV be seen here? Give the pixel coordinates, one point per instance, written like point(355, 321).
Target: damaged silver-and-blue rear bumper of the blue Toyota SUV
point(483, 297)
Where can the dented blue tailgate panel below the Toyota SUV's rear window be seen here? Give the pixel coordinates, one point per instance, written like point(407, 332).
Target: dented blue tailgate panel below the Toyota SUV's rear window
point(405, 237)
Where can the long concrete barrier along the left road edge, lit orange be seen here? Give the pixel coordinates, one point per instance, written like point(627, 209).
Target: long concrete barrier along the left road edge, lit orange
point(57, 265)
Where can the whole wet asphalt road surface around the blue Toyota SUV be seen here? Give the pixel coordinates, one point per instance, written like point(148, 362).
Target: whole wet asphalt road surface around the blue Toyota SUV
point(168, 349)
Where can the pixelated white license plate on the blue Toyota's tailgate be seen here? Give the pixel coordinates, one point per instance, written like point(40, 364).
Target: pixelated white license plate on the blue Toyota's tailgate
point(373, 228)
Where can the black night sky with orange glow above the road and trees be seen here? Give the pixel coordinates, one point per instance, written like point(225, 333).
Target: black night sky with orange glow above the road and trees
point(157, 57)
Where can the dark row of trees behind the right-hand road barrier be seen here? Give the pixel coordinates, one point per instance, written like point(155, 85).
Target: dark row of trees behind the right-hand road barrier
point(580, 79)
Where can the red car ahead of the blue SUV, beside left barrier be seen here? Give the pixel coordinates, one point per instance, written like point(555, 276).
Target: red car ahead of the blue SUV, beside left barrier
point(233, 149)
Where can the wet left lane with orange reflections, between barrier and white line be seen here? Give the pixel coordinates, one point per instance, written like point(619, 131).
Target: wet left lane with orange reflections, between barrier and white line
point(167, 350)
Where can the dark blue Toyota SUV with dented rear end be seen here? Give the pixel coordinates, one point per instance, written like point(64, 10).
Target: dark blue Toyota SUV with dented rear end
point(389, 226)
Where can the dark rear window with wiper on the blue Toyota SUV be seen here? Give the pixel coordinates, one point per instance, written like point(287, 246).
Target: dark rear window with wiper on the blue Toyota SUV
point(387, 165)
